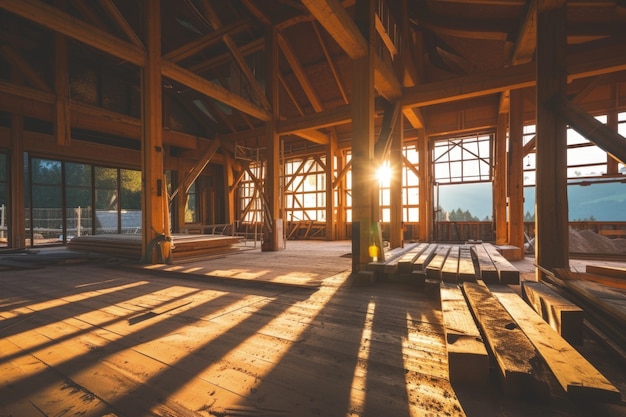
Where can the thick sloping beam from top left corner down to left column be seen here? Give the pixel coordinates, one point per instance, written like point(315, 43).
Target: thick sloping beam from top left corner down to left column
point(59, 21)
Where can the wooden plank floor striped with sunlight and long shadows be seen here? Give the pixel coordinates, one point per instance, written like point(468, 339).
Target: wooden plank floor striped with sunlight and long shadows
point(249, 334)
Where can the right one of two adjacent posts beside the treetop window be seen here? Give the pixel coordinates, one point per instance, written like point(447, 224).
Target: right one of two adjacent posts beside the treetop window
point(516, 171)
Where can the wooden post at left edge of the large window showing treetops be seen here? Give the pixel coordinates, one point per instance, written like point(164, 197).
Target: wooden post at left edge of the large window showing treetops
point(426, 204)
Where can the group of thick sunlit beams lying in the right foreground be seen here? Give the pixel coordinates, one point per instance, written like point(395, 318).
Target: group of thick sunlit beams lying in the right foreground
point(484, 322)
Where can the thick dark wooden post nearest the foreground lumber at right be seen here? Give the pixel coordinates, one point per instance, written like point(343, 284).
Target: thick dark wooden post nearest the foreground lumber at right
point(551, 213)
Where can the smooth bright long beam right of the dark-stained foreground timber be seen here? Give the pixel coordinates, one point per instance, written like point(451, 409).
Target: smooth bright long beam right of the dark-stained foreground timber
point(578, 378)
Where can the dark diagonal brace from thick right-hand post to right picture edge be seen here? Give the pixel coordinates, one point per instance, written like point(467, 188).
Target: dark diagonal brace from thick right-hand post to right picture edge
point(597, 132)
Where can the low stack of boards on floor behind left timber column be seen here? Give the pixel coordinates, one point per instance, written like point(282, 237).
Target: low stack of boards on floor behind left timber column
point(186, 246)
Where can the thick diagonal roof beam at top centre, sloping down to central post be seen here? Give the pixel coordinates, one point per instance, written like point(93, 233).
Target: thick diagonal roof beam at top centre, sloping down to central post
point(334, 18)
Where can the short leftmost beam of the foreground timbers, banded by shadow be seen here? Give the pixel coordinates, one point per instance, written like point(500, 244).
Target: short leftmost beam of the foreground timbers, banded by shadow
point(468, 361)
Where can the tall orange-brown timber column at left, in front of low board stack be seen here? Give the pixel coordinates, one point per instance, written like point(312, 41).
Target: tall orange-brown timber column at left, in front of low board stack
point(156, 238)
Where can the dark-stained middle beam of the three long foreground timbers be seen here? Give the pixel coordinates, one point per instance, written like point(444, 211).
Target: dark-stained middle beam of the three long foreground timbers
point(522, 371)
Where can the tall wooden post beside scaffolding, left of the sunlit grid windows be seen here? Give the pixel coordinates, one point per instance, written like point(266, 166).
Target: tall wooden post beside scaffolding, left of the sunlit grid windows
point(272, 235)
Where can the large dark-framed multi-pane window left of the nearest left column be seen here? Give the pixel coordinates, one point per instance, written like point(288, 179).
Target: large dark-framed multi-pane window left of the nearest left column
point(68, 199)
